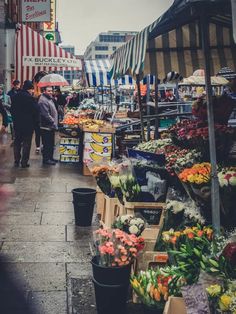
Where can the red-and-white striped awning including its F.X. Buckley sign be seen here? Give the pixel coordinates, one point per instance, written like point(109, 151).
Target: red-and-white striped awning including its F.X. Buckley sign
point(34, 53)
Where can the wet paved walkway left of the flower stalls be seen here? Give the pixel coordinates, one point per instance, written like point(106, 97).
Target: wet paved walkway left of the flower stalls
point(43, 248)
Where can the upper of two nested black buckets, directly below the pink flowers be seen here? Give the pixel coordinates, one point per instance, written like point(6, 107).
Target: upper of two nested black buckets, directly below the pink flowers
point(111, 275)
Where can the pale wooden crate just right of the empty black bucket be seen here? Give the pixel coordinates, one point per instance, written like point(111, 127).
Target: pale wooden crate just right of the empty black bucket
point(111, 210)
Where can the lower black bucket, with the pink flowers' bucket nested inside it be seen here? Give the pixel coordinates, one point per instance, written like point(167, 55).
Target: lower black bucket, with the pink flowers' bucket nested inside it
point(110, 298)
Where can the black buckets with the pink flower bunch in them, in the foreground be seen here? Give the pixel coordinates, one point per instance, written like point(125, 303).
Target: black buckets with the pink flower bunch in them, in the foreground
point(115, 253)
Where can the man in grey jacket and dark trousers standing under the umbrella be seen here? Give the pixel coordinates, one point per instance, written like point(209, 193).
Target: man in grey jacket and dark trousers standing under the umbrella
point(48, 125)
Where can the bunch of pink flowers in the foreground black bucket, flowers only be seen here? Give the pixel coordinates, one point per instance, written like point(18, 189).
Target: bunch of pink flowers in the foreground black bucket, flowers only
point(117, 248)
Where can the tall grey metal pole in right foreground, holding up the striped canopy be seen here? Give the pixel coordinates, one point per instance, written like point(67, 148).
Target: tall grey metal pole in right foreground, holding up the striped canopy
point(215, 198)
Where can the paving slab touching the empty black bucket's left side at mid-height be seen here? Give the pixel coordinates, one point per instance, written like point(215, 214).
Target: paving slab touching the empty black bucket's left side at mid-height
point(54, 207)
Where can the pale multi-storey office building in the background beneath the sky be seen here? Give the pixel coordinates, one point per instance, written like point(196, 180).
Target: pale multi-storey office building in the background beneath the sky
point(106, 43)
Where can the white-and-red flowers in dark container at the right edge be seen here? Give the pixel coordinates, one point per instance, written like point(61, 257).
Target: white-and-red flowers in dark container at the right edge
point(227, 181)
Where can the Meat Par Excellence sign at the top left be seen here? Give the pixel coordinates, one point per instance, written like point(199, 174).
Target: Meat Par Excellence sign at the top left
point(36, 10)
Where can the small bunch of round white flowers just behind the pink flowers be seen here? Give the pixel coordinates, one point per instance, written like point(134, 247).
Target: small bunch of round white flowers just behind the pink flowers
point(130, 224)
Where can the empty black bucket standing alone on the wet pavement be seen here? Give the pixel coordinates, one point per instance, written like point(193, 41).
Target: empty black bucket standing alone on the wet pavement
point(83, 200)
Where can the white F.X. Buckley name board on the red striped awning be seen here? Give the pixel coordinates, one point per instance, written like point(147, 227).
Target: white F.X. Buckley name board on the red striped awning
point(51, 62)
